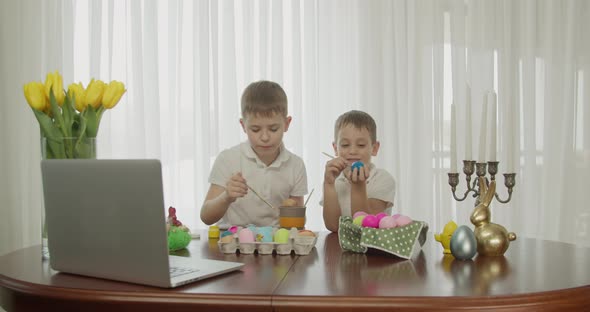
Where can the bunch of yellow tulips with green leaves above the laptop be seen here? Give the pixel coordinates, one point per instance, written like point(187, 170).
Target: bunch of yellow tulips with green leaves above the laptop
point(69, 120)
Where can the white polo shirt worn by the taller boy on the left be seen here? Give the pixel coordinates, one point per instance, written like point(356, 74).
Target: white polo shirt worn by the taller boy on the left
point(285, 177)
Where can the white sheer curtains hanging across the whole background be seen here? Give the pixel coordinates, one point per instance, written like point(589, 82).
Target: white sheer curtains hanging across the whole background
point(185, 64)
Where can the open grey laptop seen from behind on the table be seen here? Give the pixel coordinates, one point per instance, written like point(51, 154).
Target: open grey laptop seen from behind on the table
point(106, 218)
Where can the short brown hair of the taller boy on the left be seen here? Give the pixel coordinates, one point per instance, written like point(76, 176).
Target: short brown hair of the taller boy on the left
point(264, 98)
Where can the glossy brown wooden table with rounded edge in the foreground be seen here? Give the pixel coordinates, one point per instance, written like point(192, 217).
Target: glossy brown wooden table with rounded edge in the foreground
point(533, 275)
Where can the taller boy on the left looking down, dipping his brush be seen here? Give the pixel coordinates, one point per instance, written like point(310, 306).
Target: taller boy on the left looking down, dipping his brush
point(262, 163)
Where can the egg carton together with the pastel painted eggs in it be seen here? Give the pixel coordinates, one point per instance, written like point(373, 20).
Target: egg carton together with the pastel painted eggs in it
point(266, 240)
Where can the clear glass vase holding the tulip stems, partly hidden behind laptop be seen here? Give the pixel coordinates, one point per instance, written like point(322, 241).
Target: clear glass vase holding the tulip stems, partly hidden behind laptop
point(63, 148)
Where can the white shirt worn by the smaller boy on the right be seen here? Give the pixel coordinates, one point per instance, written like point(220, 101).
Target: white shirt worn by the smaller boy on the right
point(380, 185)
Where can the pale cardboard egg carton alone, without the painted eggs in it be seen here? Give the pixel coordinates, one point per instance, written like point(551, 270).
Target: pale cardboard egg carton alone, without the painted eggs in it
point(301, 245)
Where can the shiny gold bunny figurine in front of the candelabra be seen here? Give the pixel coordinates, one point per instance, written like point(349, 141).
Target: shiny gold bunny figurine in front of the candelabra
point(492, 239)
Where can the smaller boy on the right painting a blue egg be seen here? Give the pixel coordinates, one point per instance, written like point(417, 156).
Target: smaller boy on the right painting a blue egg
point(367, 188)
